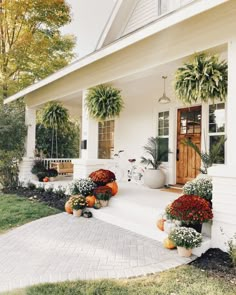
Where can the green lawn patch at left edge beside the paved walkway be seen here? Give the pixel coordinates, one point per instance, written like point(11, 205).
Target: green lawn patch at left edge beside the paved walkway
point(15, 211)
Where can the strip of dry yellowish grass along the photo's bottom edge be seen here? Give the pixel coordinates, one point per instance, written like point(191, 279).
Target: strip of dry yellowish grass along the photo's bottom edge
point(184, 280)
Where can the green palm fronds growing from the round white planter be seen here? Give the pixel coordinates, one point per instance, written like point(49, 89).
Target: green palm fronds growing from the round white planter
point(155, 151)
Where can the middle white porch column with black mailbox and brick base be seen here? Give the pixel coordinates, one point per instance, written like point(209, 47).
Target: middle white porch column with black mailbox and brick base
point(89, 145)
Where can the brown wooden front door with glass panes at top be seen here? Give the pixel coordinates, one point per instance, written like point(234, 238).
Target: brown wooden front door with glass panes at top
point(188, 161)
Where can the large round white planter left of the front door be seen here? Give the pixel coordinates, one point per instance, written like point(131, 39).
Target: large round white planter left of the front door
point(154, 178)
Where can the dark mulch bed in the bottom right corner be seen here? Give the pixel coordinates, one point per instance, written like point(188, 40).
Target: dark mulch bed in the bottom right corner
point(218, 264)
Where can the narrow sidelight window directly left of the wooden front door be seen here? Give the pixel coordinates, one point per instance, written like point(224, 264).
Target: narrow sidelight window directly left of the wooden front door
point(163, 134)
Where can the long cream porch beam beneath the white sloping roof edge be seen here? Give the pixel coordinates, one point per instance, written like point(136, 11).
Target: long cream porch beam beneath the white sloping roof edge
point(206, 30)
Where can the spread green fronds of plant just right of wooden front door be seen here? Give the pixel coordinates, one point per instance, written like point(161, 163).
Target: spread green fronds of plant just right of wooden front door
point(208, 159)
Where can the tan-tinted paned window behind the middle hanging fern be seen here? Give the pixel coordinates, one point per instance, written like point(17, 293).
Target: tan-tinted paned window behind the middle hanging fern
point(106, 139)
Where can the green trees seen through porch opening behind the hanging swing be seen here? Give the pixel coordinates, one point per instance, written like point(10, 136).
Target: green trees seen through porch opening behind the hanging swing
point(68, 140)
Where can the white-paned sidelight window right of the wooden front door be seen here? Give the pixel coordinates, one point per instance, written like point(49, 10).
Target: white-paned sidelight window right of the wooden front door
point(217, 128)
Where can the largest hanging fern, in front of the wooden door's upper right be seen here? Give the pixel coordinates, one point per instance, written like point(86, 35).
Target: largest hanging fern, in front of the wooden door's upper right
point(204, 79)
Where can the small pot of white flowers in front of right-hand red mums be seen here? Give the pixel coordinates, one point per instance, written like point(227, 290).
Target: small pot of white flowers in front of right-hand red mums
point(185, 240)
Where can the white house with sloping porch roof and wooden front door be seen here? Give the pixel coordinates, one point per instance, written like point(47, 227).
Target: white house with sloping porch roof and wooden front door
point(142, 41)
